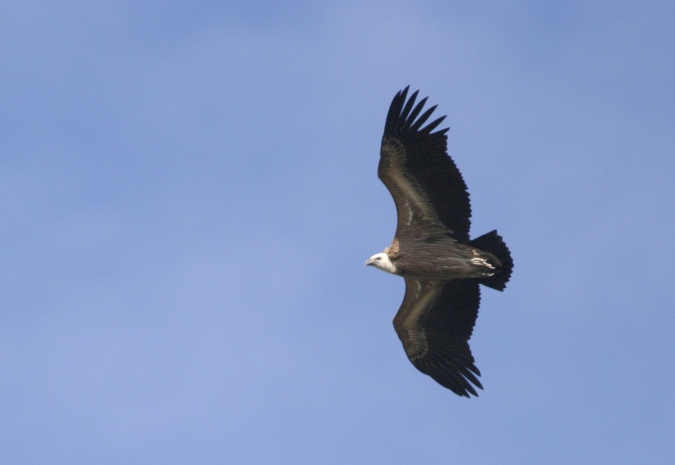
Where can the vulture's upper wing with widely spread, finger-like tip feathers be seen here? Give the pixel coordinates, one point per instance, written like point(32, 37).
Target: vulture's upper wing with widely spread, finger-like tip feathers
point(421, 177)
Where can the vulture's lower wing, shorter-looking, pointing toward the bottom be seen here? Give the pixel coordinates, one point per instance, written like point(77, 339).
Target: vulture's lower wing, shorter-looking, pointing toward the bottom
point(435, 323)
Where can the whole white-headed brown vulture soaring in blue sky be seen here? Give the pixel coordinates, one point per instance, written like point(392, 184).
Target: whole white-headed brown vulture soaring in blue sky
point(443, 269)
